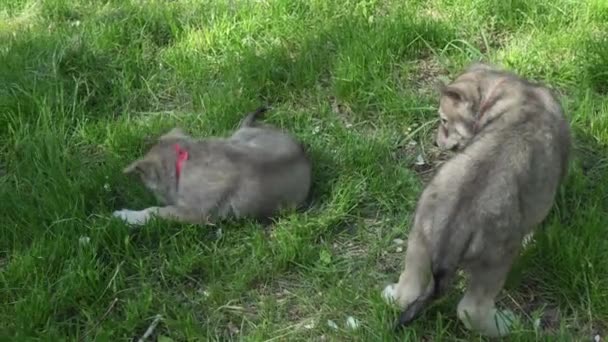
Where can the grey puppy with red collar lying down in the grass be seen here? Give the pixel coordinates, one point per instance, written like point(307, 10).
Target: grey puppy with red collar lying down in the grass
point(256, 172)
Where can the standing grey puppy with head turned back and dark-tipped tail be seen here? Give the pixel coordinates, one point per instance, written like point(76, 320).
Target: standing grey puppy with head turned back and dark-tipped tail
point(512, 145)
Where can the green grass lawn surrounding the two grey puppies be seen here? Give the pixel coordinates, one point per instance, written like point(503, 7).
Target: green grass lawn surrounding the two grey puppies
point(86, 85)
